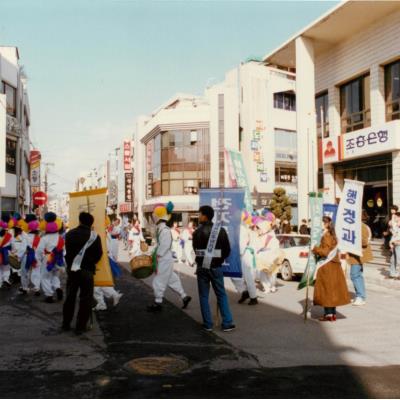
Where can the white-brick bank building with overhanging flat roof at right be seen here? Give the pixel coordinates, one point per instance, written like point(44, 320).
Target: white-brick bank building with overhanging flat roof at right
point(348, 92)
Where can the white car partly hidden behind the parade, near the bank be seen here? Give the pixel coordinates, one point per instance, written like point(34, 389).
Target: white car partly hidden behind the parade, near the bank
point(296, 248)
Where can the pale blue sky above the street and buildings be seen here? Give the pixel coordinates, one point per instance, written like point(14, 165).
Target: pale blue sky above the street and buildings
point(93, 66)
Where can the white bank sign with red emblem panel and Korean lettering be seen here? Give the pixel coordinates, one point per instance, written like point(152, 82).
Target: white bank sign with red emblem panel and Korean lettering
point(361, 143)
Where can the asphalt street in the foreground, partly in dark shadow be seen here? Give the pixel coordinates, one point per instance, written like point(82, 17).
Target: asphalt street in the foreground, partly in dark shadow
point(271, 354)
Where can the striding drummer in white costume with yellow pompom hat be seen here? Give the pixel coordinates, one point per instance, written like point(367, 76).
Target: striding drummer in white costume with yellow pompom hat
point(165, 275)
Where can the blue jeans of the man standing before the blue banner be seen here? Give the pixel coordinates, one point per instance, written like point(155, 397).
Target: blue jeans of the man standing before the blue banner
point(216, 278)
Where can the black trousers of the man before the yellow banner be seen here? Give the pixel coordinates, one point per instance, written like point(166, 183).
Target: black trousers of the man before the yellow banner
point(83, 281)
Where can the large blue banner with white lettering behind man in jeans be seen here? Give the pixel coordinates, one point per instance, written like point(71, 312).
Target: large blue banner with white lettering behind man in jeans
point(228, 206)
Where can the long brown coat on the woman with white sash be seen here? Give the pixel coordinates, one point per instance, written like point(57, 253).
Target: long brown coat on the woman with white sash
point(330, 286)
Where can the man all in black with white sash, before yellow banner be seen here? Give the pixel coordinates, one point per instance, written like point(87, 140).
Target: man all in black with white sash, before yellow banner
point(83, 252)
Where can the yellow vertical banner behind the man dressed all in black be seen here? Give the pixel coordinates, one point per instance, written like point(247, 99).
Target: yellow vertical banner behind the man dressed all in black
point(94, 202)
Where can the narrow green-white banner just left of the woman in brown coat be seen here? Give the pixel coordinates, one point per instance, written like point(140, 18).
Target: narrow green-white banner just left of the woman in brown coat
point(316, 234)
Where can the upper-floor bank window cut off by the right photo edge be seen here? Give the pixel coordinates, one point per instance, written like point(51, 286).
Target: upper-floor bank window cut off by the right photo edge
point(392, 91)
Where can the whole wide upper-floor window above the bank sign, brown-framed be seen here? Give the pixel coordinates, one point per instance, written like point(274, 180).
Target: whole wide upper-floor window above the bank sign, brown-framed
point(355, 108)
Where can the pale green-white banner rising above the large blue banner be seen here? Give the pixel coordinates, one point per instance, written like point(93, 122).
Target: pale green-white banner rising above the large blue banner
point(238, 176)
